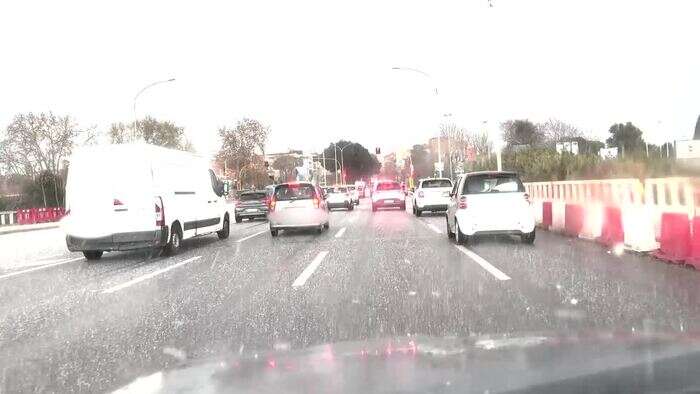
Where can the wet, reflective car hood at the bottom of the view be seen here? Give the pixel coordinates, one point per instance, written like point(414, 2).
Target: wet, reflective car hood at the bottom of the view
point(532, 362)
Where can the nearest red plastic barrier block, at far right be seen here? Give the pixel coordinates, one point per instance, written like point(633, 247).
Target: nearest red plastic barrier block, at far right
point(675, 238)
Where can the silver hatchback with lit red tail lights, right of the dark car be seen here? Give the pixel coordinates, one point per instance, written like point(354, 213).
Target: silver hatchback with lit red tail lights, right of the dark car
point(297, 205)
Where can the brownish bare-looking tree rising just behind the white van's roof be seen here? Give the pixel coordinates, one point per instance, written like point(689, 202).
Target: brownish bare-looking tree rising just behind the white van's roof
point(152, 131)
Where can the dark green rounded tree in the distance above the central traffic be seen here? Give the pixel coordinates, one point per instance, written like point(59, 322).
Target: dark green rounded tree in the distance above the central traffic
point(356, 160)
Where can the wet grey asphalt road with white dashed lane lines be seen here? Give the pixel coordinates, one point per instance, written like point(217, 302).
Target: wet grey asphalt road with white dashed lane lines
point(71, 325)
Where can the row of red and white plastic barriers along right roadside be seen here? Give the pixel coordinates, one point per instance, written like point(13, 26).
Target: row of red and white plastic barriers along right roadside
point(657, 214)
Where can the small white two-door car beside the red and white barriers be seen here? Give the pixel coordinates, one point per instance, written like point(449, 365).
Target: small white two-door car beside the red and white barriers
point(490, 202)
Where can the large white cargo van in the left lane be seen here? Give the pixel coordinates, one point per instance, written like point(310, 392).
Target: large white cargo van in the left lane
point(132, 196)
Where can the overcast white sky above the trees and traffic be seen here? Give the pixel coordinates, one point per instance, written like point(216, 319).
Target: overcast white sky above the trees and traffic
point(317, 71)
